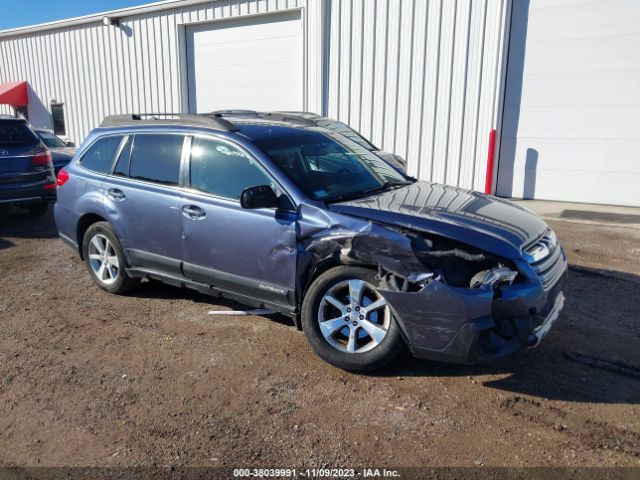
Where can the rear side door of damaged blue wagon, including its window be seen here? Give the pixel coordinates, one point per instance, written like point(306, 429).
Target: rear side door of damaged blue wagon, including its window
point(141, 199)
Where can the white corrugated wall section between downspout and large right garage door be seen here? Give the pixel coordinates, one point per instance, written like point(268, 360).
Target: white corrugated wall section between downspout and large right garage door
point(421, 79)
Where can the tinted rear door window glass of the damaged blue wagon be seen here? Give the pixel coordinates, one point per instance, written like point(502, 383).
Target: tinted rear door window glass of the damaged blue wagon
point(156, 158)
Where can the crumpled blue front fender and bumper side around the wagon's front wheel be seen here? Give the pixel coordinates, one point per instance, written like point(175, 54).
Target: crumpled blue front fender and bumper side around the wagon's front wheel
point(347, 240)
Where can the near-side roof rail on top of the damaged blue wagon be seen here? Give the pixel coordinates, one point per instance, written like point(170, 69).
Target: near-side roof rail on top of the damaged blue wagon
point(134, 119)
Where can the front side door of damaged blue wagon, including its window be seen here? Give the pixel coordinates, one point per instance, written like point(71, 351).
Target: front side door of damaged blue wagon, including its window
point(250, 252)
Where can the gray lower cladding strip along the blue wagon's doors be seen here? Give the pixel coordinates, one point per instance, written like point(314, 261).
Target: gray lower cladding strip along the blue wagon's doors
point(211, 282)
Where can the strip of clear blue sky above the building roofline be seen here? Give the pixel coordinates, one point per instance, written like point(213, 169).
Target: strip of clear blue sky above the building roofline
point(20, 13)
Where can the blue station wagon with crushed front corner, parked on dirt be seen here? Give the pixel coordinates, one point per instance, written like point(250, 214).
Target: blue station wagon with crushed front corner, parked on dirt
point(304, 221)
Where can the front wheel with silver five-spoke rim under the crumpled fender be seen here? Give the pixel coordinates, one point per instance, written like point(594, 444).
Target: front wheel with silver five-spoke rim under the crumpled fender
point(354, 345)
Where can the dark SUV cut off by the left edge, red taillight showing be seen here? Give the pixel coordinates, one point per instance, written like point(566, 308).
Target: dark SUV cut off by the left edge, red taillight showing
point(26, 169)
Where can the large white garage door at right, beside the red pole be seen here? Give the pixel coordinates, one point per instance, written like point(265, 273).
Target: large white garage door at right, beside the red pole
point(571, 124)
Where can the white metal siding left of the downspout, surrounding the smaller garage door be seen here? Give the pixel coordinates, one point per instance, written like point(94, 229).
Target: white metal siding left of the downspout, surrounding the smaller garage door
point(98, 71)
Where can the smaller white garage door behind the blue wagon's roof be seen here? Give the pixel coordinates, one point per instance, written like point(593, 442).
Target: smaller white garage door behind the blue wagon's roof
point(251, 63)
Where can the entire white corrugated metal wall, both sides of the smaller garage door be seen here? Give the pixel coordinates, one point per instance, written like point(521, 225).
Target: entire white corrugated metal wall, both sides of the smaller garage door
point(420, 78)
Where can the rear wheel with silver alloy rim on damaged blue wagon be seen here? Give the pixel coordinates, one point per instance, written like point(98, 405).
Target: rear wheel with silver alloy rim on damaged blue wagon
point(104, 258)
